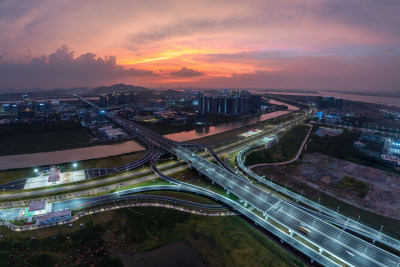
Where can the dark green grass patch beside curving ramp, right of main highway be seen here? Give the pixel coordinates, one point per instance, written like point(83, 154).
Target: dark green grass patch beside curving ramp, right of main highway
point(286, 148)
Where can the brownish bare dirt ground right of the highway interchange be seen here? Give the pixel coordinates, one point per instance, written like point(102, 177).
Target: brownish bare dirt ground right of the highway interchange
point(324, 173)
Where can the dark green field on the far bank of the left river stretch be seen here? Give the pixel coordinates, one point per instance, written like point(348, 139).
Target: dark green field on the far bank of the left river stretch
point(38, 137)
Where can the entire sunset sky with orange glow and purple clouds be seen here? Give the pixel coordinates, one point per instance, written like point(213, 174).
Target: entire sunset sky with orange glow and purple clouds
point(341, 45)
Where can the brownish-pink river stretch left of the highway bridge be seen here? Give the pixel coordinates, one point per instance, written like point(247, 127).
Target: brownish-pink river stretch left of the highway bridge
point(68, 155)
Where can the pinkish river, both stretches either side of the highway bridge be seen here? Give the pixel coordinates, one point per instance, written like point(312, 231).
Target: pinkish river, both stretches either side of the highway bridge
point(77, 154)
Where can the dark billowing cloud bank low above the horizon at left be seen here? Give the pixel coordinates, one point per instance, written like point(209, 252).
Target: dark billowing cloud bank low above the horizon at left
point(61, 69)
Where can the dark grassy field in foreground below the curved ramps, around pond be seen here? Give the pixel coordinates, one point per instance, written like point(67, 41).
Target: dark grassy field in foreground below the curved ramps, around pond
point(219, 241)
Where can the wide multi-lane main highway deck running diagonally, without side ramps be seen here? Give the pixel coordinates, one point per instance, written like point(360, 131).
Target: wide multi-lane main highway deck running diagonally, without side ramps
point(329, 238)
